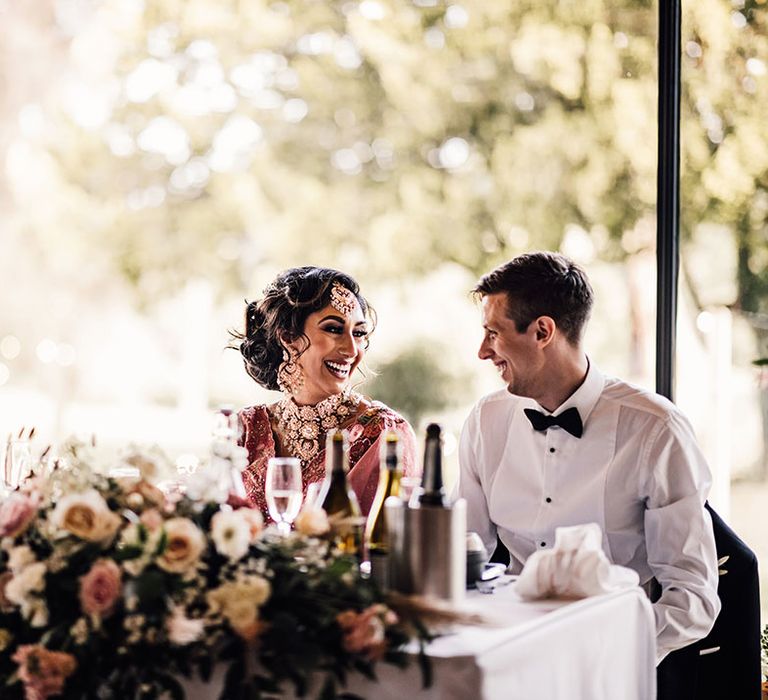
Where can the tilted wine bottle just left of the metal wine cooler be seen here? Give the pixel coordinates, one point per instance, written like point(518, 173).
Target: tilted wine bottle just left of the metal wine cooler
point(376, 534)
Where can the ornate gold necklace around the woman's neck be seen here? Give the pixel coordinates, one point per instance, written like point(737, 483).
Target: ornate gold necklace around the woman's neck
point(302, 428)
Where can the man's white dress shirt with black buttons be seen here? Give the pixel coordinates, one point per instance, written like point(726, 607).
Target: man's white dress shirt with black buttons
point(636, 471)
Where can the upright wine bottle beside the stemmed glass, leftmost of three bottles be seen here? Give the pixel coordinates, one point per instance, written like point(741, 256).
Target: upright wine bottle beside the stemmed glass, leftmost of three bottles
point(337, 497)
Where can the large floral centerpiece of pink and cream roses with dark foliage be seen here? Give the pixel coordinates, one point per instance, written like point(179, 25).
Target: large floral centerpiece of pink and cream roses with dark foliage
point(108, 588)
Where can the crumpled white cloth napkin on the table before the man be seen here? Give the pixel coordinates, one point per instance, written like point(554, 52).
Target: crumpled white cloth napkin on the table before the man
point(576, 567)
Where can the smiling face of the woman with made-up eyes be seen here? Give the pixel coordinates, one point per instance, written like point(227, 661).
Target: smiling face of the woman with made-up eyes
point(336, 347)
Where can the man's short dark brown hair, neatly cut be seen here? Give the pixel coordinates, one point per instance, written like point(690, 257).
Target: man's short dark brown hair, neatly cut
point(542, 284)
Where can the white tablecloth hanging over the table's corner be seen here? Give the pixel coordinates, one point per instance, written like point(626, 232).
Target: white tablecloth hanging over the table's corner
point(599, 648)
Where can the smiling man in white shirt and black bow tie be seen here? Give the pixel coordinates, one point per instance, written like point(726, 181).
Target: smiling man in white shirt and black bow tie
point(564, 444)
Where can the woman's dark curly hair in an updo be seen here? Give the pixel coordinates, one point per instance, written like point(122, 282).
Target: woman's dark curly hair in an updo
point(281, 314)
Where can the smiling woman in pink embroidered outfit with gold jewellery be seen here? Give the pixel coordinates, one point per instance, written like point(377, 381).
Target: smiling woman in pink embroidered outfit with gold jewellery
point(306, 337)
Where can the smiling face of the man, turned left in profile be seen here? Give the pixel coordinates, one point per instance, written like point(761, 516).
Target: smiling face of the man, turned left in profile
point(514, 354)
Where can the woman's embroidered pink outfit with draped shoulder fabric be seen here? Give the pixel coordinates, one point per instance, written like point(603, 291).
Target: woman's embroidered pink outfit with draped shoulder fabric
point(365, 436)
